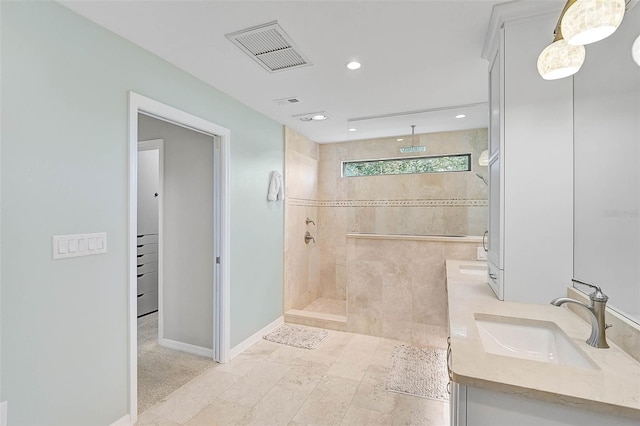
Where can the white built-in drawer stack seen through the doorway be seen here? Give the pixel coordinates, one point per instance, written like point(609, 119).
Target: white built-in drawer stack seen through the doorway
point(147, 271)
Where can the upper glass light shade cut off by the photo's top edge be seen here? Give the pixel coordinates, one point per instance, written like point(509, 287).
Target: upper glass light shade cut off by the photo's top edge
point(588, 21)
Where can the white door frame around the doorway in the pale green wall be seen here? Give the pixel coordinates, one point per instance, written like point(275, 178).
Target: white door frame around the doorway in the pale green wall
point(221, 285)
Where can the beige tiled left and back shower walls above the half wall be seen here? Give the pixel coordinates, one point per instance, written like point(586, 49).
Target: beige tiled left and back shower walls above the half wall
point(420, 204)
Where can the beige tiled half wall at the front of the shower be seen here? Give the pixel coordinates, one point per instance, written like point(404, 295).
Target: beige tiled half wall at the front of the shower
point(397, 287)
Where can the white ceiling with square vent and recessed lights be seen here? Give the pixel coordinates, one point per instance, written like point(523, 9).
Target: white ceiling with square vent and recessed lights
point(418, 57)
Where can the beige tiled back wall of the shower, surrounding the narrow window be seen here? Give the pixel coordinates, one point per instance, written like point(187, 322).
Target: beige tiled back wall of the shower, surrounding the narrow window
point(416, 204)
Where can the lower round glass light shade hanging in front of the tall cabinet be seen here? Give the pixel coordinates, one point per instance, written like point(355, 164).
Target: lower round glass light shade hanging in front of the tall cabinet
point(559, 60)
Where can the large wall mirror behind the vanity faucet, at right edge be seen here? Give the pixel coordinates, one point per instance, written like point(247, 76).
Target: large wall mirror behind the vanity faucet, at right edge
point(607, 169)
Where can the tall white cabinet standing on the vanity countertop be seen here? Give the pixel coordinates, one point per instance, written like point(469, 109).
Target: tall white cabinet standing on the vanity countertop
point(530, 239)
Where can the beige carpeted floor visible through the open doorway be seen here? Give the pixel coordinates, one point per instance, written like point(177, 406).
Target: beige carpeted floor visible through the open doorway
point(162, 370)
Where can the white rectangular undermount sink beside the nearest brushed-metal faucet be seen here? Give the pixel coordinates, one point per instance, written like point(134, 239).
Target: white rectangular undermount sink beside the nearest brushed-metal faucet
point(530, 339)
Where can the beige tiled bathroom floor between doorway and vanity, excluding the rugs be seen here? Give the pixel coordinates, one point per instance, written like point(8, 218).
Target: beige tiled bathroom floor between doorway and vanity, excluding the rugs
point(343, 381)
